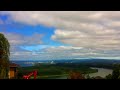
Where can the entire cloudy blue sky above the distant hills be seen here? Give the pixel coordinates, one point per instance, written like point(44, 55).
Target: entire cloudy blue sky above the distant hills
point(56, 35)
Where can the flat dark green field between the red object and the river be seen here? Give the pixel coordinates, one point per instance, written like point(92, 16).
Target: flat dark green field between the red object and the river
point(53, 71)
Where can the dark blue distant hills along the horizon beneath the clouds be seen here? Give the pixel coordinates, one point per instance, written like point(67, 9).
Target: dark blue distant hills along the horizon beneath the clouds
point(92, 62)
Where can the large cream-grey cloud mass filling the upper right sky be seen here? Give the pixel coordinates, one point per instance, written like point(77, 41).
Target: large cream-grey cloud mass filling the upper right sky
point(90, 29)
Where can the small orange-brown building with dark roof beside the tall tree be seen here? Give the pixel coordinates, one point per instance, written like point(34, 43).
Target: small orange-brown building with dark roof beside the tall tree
point(13, 70)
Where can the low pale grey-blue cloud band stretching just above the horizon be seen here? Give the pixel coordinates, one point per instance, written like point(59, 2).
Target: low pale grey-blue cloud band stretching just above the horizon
point(61, 52)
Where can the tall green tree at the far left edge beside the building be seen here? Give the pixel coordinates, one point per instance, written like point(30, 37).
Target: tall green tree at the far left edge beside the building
point(4, 57)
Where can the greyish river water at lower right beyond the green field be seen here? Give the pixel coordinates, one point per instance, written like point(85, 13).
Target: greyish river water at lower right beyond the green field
point(101, 72)
